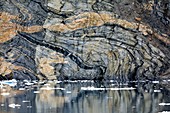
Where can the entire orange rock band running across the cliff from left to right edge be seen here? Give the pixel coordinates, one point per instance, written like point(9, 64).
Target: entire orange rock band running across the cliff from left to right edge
point(9, 29)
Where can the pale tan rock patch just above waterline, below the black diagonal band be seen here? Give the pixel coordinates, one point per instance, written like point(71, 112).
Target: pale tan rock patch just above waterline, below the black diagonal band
point(46, 60)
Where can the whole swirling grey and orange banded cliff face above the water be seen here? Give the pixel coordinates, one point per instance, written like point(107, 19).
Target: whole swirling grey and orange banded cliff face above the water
point(84, 39)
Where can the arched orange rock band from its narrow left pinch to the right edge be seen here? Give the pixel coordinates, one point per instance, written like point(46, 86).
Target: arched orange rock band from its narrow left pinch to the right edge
point(90, 19)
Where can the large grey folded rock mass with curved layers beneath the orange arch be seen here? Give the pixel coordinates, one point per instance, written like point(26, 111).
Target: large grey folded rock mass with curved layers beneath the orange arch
point(125, 54)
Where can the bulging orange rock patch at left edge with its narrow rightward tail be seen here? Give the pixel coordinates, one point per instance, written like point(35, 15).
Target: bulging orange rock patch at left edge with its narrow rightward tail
point(9, 29)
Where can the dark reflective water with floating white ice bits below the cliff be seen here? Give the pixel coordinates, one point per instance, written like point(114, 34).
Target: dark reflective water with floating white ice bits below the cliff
point(84, 97)
